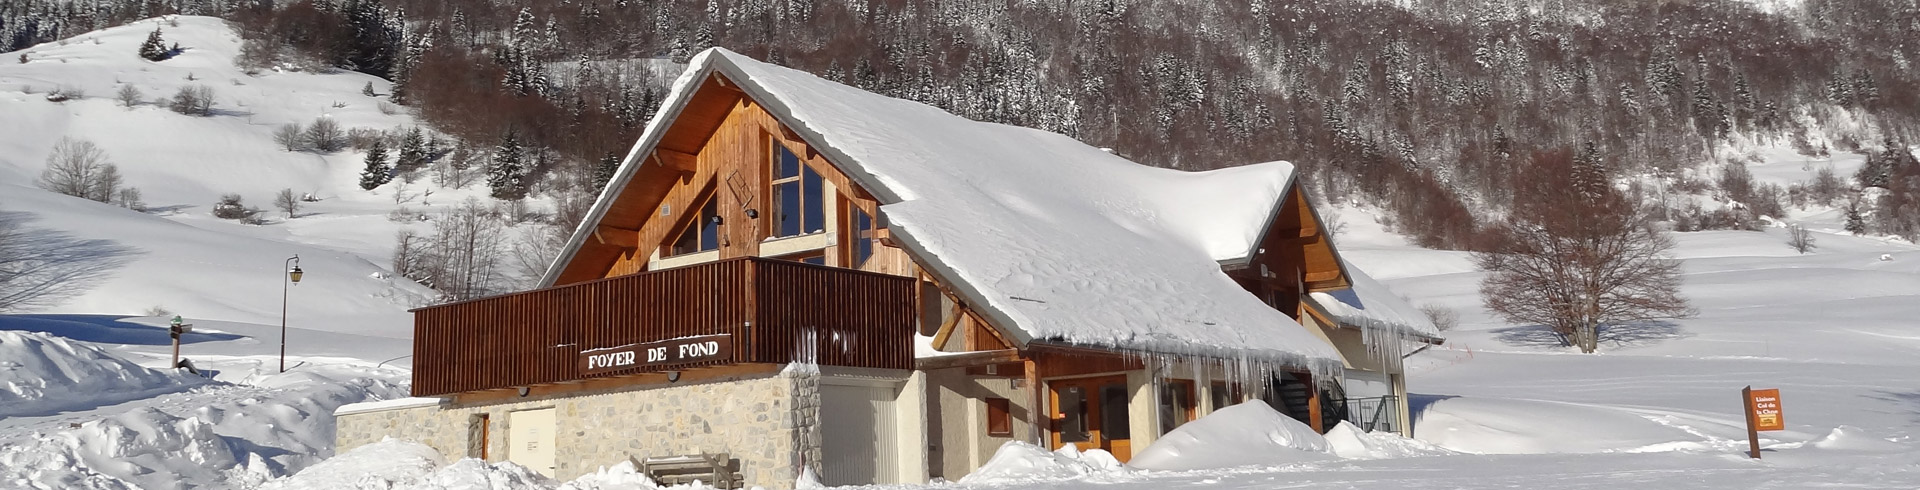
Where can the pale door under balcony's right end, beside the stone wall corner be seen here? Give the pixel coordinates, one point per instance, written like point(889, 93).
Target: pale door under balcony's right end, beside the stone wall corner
point(859, 435)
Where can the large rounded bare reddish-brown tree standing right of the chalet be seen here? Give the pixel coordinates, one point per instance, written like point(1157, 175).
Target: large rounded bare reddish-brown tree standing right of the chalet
point(1577, 257)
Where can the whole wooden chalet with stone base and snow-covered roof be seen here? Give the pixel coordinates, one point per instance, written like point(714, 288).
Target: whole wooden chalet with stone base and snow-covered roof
point(804, 276)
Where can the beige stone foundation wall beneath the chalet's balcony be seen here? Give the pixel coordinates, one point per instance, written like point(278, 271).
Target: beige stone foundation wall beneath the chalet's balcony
point(767, 422)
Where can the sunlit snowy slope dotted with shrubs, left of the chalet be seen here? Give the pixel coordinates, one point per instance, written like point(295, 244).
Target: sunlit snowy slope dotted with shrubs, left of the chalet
point(178, 257)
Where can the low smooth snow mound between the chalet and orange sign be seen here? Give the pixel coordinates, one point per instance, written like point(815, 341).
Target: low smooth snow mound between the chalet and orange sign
point(1499, 426)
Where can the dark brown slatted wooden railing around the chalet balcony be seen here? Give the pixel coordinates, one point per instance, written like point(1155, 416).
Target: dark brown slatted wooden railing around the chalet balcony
point(771, 312)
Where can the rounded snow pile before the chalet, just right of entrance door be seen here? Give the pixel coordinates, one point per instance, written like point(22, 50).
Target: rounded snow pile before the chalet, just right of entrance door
point(1236, 437)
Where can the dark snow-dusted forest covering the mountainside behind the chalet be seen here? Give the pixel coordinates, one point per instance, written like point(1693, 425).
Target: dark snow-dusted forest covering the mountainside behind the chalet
point(1426, 109)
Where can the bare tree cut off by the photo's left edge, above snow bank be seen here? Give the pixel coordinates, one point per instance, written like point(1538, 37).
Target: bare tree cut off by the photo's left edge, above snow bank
point(41, 268)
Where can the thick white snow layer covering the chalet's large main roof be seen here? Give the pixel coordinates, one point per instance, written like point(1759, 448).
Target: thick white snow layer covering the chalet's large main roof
point(1049, 237)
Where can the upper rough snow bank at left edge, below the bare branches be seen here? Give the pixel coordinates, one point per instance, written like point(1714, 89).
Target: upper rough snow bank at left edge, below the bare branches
point(43, 374)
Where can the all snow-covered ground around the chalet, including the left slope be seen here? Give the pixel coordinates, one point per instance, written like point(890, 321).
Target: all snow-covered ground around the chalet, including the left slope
point(84, 403)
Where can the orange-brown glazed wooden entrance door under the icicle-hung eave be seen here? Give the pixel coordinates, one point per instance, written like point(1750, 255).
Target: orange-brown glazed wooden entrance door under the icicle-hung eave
point(1093, 414)
